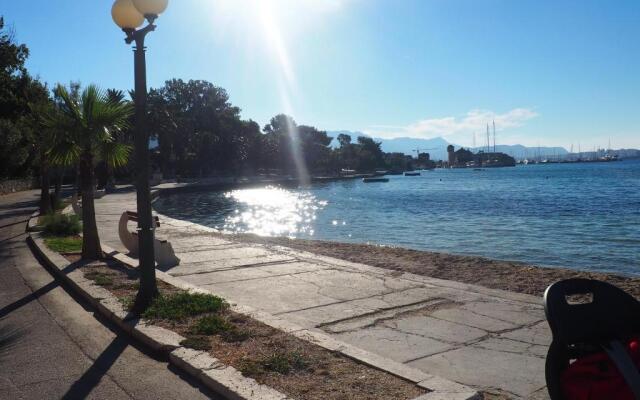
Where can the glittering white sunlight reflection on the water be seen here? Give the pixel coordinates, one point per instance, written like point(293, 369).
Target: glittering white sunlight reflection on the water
point(272, 211)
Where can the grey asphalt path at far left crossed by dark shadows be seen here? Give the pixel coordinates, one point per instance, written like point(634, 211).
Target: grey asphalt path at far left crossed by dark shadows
point(51, 347)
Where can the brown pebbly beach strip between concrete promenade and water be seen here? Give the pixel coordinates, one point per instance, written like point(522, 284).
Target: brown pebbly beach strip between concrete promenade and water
point(495, 274)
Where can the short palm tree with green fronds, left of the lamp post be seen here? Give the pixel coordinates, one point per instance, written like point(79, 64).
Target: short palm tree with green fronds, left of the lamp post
point(88, 126)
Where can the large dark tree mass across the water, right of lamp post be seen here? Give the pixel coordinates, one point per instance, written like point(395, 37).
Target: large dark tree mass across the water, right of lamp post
point(201, 133)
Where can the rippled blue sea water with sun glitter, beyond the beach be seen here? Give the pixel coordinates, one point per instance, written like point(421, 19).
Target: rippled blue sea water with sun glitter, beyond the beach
point(584, 216)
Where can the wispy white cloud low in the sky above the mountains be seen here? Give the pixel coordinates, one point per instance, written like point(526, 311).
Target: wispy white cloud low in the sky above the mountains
point(473, 121)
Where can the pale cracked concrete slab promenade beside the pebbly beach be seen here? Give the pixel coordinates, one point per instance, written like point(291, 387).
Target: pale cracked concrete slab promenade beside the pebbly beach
point(489, 339)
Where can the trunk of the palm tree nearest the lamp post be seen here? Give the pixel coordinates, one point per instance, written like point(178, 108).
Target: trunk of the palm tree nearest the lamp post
point(91, 249)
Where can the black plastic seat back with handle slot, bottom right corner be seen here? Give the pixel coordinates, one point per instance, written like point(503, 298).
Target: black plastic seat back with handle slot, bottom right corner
point(588, 316)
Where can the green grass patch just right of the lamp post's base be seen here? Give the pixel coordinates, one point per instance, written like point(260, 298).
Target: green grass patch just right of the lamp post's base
point(178, 306)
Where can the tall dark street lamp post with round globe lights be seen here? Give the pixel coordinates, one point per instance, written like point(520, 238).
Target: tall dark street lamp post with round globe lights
point(130, 15)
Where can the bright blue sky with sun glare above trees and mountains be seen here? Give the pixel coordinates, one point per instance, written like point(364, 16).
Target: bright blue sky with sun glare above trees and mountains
point(548, 72)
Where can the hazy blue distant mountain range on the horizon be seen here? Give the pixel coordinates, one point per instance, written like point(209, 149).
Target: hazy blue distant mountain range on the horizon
point(437, 147)
